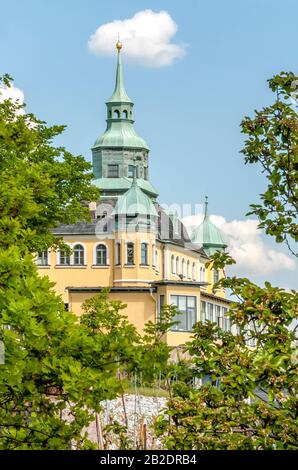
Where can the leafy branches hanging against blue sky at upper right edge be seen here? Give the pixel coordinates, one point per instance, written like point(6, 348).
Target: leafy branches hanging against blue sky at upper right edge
point(273, 142)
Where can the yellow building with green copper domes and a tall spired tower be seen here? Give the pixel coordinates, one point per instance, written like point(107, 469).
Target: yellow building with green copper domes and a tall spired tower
point(143, 254)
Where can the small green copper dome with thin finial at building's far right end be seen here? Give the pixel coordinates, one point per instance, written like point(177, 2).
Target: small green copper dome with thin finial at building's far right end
point(207, 235)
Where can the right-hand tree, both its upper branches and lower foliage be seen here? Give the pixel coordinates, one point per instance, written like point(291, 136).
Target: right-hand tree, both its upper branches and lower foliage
point(250, 398)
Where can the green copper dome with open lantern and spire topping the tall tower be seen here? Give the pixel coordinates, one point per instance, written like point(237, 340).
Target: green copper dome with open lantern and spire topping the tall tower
point(120, 131)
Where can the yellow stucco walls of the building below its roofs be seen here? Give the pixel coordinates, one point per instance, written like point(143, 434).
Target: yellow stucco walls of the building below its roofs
point(141, 306)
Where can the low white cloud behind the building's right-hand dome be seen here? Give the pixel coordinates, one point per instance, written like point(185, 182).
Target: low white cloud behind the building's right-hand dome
point(247, 246)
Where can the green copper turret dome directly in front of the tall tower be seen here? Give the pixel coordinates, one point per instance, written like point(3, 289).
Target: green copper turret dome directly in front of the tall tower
point(135, 202)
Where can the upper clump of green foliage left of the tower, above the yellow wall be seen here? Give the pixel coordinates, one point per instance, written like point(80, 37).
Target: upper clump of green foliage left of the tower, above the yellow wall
point(40, 185)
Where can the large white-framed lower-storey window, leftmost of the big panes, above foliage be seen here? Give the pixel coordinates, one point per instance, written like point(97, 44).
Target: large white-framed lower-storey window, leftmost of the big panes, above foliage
point(187, 308)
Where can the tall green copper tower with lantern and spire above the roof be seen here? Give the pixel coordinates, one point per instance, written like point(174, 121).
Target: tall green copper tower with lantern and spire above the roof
point(120, 148)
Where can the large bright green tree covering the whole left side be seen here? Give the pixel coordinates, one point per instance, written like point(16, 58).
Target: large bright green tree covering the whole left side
point(57, 368)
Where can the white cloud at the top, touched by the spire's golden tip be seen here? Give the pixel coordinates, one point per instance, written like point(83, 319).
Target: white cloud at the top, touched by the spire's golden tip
point(146, 39)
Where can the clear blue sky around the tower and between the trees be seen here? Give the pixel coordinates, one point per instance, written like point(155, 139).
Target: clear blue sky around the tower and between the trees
point(189, 112)
